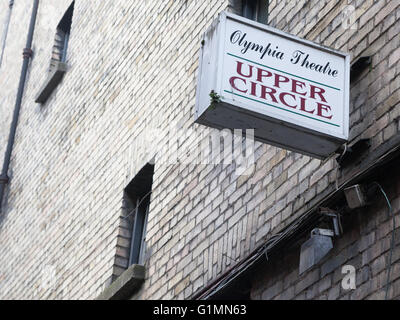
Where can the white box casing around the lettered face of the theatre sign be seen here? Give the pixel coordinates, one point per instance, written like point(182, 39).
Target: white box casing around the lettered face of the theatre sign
point(218, 110)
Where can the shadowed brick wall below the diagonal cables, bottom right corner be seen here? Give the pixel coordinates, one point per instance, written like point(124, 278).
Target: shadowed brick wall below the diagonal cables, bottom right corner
point(365, 245)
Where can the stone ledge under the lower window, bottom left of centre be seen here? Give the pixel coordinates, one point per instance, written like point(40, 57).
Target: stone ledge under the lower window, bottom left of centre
point(125, 285)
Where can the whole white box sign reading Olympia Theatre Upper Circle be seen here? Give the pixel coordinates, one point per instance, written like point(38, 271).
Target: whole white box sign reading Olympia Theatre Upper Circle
point(293, 92)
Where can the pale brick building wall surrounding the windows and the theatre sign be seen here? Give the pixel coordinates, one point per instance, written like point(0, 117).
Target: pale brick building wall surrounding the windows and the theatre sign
point(133, 68)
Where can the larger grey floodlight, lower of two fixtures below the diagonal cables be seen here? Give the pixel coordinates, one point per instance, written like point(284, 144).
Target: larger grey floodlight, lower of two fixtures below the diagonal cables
point(315, 248)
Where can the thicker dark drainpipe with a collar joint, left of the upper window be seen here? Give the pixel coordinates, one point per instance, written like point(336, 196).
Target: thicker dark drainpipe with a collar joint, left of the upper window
point(27, 55)
